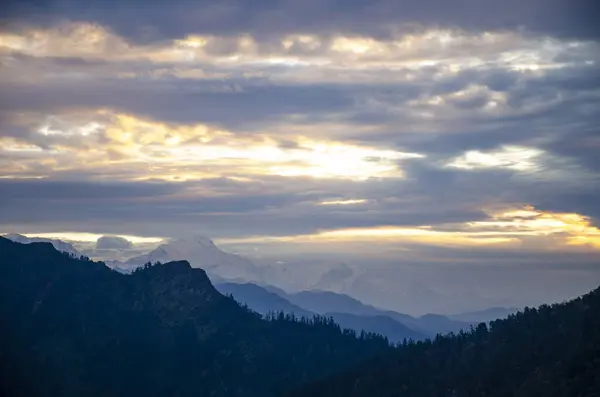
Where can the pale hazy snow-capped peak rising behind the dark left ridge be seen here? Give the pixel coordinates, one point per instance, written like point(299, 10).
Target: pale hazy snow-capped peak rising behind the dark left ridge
point(201, 252)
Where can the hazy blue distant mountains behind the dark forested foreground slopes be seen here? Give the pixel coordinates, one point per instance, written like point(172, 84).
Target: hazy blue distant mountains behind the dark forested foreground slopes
point(223, 267)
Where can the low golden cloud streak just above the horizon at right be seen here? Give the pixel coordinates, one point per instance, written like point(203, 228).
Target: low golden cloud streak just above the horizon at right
point(526, 228)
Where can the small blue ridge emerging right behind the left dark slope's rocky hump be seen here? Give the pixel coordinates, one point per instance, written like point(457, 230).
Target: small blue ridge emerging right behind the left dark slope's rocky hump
point(260, 300)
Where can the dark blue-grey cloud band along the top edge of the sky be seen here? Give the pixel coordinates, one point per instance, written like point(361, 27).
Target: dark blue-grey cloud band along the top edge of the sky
point(155, 21)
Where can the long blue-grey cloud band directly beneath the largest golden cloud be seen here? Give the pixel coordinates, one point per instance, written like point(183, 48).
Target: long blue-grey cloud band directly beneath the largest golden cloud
point(142, 208)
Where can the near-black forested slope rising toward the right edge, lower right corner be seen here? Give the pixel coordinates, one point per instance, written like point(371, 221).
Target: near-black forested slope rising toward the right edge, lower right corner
point(552, 351)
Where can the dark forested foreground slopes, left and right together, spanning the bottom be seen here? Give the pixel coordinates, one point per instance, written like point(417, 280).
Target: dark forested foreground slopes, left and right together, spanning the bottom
point(80, 328)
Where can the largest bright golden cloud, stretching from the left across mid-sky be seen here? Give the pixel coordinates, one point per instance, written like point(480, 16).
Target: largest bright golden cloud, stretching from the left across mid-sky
point(130, 147)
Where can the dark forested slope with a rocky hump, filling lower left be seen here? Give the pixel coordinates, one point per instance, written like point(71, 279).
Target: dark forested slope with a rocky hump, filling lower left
point(72, 327)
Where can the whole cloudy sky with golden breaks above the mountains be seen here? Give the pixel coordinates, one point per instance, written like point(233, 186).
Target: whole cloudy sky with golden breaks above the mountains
point(456, 139)
